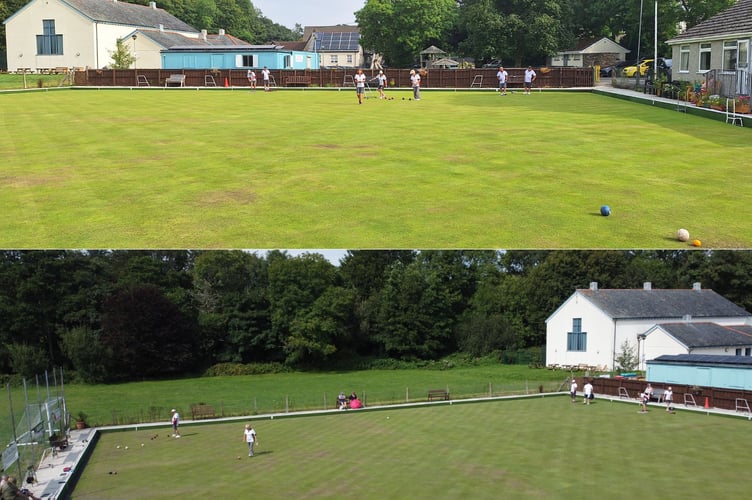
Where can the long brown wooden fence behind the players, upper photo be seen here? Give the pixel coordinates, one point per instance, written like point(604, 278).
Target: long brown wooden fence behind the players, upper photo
point(397, 78)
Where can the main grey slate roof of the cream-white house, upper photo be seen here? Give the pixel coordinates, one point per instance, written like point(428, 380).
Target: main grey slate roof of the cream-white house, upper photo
point(117, 12)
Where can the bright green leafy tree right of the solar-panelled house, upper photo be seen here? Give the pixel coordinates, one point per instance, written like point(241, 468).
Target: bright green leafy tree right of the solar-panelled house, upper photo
point(400, 29)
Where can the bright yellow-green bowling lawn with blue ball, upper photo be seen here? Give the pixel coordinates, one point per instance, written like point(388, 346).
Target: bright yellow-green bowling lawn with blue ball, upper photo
point(312, 169)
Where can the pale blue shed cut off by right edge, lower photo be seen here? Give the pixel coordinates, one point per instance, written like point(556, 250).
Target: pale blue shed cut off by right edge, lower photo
point(705, 370)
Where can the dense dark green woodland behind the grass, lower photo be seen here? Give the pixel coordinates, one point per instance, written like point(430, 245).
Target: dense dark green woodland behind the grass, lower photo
point(132, 315)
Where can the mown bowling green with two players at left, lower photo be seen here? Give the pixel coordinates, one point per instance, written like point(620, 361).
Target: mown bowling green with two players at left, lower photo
point(538, 448)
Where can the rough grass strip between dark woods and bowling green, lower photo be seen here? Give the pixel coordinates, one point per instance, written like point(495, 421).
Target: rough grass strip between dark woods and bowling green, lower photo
point(245, 395)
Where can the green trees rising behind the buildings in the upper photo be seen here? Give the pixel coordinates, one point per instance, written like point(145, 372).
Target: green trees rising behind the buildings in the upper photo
point(519, 32)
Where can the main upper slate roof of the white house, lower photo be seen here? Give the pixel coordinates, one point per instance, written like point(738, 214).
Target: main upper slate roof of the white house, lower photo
point(662, 303)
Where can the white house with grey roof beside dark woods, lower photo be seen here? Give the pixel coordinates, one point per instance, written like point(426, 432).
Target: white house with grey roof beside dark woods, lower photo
point(591, 326)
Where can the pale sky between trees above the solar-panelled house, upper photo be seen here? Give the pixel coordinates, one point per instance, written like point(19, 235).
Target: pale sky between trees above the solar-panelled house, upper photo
point(309, 12)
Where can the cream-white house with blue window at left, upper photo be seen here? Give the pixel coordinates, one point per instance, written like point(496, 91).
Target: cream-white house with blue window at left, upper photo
point(83, 33)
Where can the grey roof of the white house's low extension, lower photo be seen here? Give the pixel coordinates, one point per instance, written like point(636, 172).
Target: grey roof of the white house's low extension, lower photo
point(694, 335)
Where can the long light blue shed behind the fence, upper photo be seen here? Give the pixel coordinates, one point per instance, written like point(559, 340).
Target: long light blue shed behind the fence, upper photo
point(238, 57)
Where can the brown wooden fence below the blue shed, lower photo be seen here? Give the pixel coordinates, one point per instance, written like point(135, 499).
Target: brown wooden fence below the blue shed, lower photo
point(717, 397)
